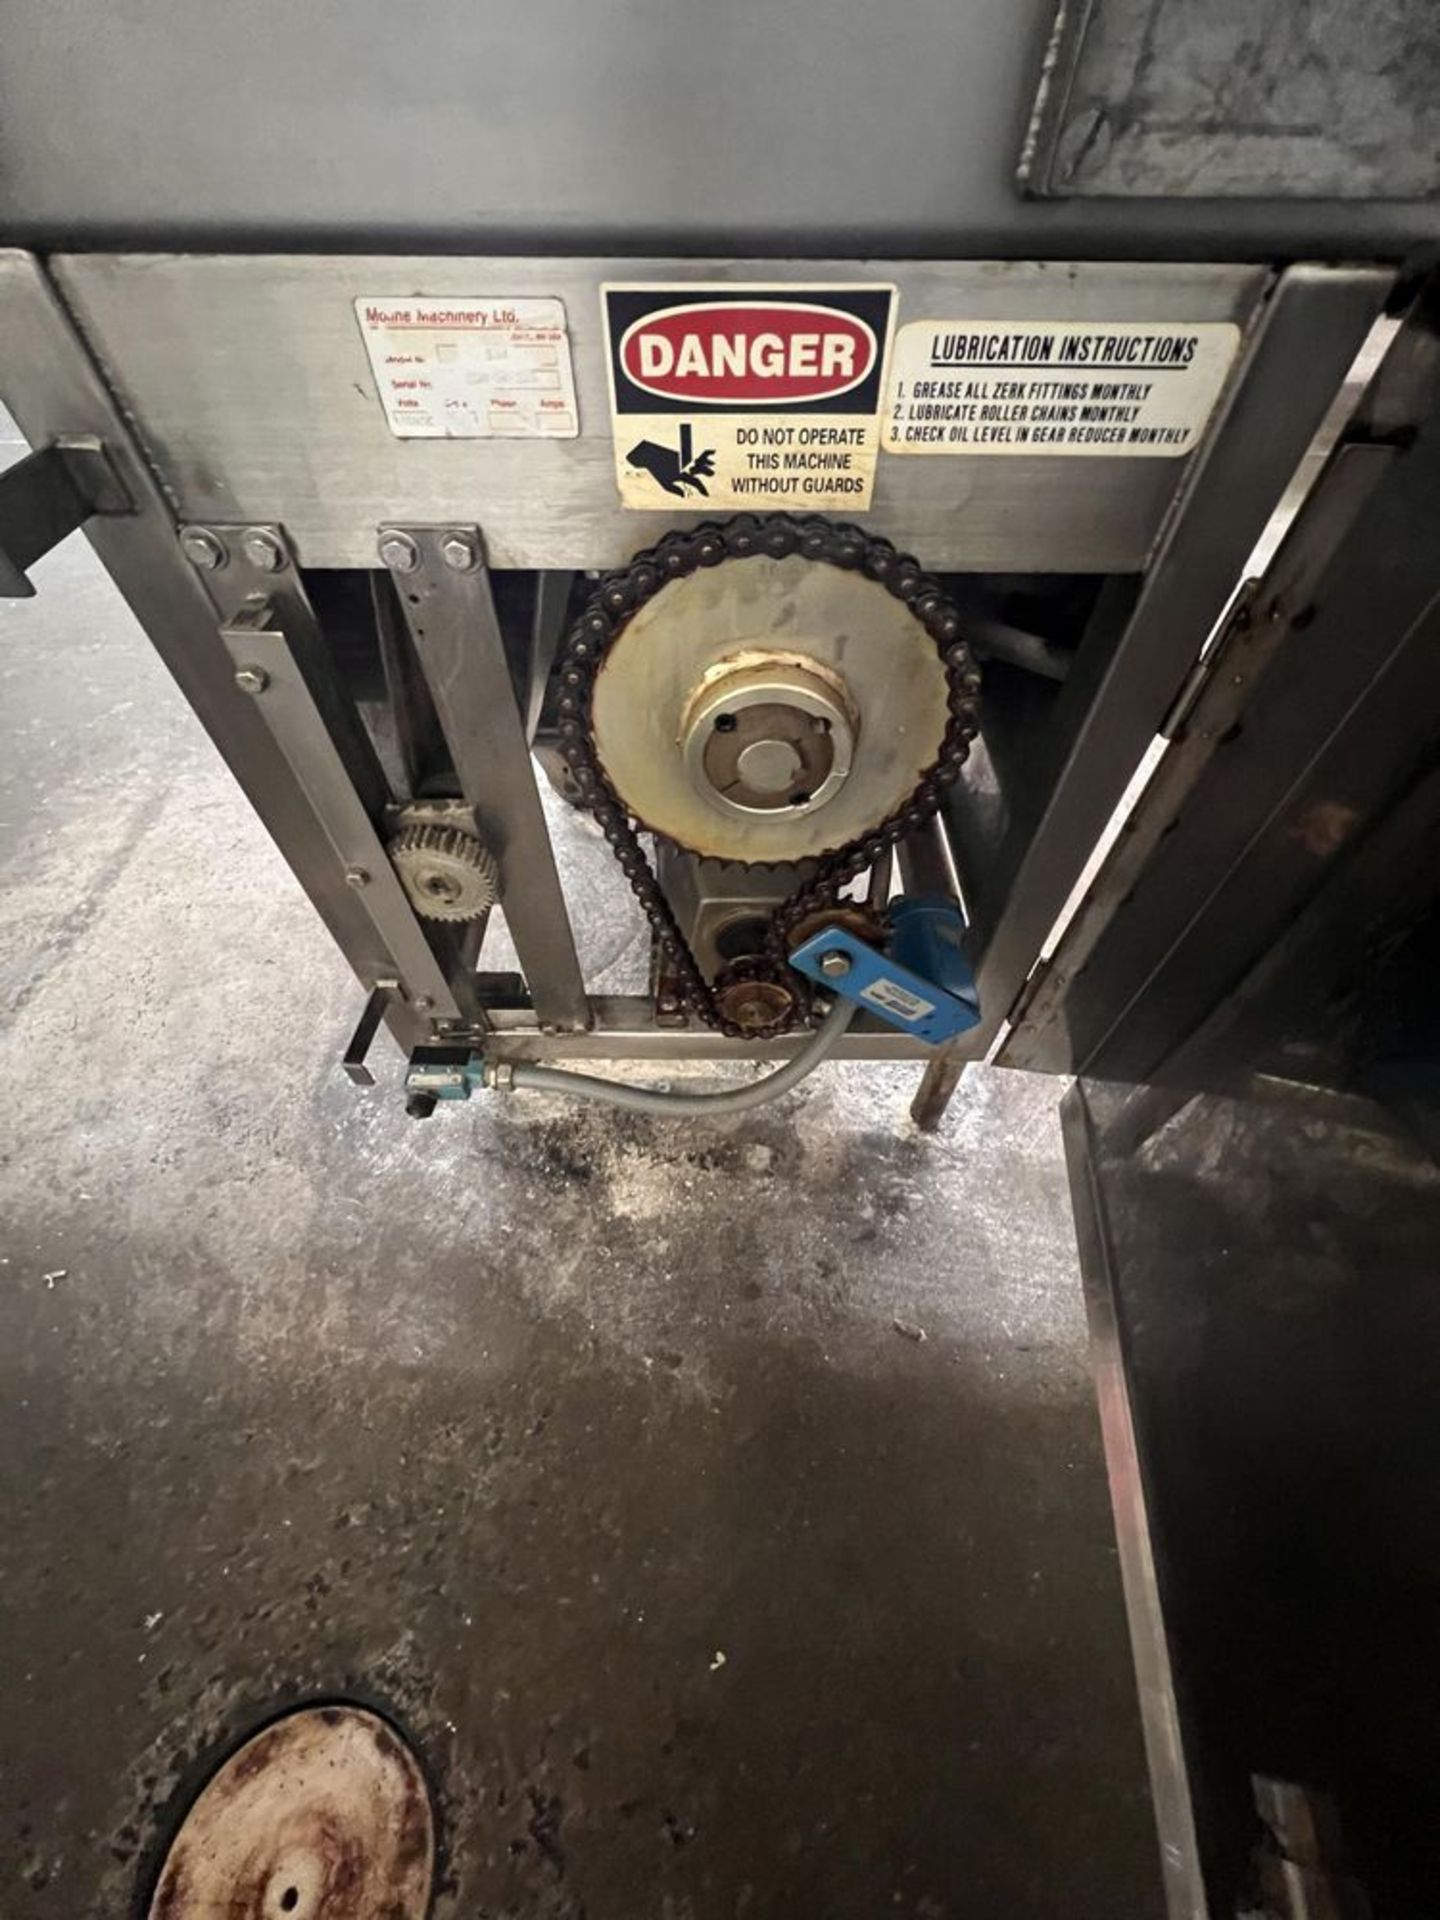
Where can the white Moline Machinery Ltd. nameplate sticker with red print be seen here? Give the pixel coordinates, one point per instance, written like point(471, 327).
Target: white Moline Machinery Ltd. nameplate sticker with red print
point(471, 370)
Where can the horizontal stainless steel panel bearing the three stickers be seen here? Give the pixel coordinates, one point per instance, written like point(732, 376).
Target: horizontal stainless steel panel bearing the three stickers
point(252, 393)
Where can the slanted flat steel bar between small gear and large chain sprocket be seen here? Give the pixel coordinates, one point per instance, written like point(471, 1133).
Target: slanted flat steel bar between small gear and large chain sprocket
point(446, 598)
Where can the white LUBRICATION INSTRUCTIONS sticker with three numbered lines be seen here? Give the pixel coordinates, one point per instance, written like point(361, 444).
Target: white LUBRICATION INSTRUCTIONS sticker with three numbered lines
point(1055, 387)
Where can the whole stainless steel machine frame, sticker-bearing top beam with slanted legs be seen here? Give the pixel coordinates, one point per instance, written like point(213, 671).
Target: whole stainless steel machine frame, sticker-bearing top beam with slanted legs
point(172, 337)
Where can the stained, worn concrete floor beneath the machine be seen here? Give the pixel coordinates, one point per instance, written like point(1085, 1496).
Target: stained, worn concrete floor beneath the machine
point(604, 1452)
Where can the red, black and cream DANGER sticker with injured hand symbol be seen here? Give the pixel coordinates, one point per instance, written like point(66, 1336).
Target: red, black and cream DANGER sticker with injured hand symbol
point(748, 396)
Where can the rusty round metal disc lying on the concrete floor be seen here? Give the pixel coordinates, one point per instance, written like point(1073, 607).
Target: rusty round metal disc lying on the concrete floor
point(320, 1817)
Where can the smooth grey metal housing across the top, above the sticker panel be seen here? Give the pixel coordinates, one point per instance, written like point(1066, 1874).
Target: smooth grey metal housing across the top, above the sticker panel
point(667, 126)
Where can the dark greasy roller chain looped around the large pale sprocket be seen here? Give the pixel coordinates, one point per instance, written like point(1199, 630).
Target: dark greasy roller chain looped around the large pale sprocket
point(623, 594)
